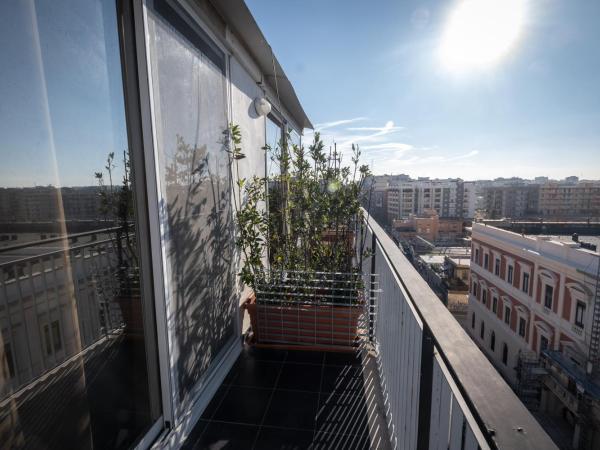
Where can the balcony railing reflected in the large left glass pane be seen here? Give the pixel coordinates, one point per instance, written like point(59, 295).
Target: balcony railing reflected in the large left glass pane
point(58, 298)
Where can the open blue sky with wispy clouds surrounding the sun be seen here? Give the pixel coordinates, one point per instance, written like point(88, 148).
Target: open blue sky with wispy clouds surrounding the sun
point(370, 72)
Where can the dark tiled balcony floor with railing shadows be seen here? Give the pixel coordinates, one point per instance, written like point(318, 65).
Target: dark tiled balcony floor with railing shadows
point(277, 399)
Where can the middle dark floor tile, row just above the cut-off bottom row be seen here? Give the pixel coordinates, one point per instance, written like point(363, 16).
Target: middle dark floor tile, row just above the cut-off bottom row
point(292, 409)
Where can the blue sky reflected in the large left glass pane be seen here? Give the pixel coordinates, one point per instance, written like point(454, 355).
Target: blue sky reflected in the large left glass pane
point(62, 106)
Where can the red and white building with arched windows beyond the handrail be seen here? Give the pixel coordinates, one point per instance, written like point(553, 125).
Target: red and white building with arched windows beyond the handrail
point(532, 303)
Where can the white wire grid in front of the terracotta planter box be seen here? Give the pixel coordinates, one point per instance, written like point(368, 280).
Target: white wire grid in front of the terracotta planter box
point(318, 309)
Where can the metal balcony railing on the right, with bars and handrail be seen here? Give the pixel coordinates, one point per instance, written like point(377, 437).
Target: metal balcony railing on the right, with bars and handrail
point(440, 391)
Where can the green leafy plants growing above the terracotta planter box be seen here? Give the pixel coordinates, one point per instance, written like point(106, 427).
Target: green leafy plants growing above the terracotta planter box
point(303, 219)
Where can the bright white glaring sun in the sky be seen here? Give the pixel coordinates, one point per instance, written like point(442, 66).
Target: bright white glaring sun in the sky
point(479, 33)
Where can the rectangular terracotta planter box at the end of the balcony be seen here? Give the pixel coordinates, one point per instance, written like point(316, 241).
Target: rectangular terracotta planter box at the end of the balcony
point(288, 325)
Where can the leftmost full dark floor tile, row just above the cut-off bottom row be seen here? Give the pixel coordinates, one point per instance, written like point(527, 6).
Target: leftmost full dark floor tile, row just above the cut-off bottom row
point(243, 405)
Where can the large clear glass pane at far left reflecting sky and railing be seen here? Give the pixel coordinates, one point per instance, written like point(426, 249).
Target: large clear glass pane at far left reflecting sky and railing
point(73, 361)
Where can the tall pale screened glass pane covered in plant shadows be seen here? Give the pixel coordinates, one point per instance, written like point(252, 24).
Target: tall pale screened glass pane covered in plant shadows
point(190, 109)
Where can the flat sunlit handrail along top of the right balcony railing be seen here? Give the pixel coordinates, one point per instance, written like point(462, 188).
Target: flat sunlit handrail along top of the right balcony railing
point(501, 416)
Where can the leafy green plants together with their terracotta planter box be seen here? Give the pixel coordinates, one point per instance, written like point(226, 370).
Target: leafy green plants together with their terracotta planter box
point(297, 233)
